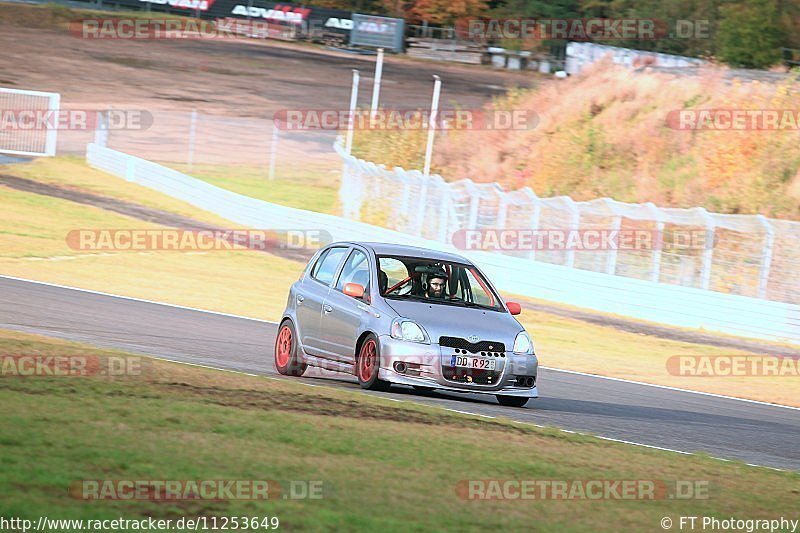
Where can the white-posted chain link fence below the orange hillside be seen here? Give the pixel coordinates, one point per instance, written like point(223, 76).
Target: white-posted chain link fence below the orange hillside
point(748, 255)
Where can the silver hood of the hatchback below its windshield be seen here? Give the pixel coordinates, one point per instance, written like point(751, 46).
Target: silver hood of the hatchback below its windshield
point(454, 321)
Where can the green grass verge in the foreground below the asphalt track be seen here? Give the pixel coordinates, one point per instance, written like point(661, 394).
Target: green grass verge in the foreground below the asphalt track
point(382, 465)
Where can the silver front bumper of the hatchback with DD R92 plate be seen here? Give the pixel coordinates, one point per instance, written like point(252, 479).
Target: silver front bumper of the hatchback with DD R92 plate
point(429, 365)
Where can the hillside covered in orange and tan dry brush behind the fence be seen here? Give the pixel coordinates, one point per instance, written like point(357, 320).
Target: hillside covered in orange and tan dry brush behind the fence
point(613, 132)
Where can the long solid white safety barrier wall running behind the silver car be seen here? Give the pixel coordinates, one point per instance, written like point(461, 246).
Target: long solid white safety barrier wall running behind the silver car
point(657, 302)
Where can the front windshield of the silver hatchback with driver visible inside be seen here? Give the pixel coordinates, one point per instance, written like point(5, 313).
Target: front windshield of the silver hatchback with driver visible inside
point(434, 281)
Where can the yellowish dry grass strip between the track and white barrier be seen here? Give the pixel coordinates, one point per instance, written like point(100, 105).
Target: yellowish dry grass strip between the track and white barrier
point(32, 245)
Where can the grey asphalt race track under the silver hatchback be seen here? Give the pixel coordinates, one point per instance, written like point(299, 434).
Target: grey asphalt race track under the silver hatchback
point(725, 428)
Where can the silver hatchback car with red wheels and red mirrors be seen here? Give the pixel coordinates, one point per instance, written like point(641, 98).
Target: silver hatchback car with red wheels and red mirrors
point(409, 316)
